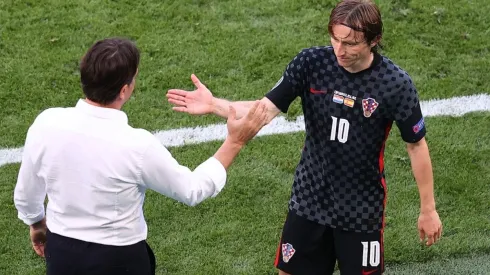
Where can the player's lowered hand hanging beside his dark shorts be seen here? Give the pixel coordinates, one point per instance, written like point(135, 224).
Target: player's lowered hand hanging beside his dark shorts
point(430, 227)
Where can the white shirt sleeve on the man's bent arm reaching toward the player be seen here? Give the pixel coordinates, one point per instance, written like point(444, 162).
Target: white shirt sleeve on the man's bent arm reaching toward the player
point(162, 173)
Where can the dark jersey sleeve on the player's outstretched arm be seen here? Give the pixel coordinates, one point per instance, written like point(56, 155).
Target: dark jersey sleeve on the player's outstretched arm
point(291, 84)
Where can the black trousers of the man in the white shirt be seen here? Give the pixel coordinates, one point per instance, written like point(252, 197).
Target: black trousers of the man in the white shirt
point(67, 256)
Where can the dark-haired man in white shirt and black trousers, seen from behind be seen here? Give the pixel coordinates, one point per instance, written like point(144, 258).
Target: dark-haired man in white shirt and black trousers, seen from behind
point(95, 169)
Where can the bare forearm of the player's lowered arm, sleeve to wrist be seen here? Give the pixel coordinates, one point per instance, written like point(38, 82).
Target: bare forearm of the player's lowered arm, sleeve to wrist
point(422, 171)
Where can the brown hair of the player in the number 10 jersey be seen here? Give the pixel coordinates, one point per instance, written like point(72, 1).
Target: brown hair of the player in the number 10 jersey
point(360, 15)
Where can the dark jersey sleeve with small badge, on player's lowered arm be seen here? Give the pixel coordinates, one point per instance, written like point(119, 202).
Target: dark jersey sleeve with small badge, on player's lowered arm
point(407, 113)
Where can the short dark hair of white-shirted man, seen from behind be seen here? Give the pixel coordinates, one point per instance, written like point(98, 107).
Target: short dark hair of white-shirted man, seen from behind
point(107, 66)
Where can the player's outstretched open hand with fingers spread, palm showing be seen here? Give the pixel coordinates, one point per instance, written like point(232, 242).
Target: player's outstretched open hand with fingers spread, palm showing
point(197, 102)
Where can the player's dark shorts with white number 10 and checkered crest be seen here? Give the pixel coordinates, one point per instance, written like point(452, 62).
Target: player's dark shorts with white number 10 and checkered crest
point(308, 248)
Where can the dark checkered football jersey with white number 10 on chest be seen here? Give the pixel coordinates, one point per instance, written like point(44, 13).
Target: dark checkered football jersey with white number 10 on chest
point(339, 180)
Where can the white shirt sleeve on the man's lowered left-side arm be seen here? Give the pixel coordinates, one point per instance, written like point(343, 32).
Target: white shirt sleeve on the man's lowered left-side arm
point(30, 190)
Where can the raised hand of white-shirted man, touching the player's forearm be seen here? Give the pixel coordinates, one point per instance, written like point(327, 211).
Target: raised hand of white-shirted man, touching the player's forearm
point(240, 131)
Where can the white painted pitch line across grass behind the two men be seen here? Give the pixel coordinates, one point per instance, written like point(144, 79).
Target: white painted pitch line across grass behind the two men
point(456, 106)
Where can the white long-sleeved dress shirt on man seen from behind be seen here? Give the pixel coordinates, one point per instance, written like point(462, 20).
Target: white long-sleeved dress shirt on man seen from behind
point(95, 169)
